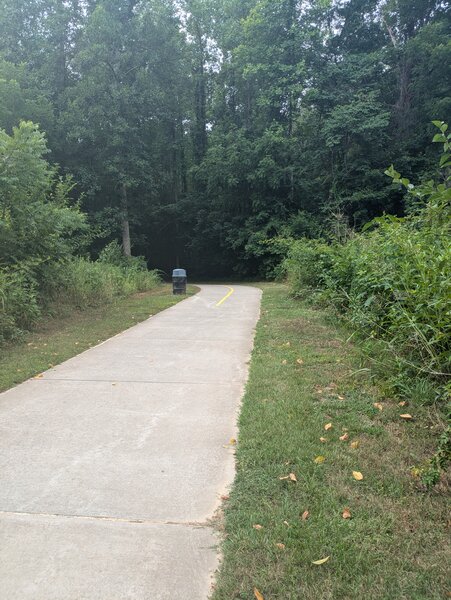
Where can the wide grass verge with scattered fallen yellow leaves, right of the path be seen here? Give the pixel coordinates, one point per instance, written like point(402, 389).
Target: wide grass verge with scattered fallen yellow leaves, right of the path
point(395, 544)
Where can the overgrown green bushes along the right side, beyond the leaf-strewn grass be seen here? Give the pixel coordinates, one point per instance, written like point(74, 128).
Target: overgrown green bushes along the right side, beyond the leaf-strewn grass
point(393, 282)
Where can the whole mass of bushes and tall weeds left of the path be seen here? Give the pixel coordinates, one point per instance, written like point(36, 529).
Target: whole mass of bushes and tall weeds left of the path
point(41, 233)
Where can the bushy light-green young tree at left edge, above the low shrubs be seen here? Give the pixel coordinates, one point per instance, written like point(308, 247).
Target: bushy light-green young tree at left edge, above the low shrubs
point(37, 222)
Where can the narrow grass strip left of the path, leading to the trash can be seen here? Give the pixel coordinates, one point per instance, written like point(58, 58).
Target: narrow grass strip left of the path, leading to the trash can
point(57, 339)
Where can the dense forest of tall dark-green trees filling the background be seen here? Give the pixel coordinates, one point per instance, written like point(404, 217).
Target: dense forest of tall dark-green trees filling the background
point(196, 132)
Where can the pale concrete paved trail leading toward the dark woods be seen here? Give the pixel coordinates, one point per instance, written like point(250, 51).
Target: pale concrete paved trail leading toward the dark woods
point(112, 463)
